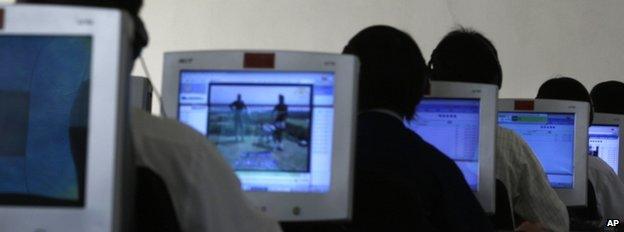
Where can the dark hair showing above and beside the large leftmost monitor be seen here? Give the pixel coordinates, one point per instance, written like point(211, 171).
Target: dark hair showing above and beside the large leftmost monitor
point(131, 6)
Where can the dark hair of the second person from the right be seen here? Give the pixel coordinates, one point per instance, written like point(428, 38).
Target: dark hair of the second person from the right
point(565, 88)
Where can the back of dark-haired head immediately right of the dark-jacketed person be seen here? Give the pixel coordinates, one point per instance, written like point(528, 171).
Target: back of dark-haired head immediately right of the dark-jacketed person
point(465, 55)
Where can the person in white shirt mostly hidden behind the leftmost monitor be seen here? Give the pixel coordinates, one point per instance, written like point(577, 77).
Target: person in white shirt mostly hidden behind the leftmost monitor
point(204, 190)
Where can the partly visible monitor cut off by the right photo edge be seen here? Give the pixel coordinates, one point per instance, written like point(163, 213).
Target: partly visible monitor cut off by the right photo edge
point(605, 140)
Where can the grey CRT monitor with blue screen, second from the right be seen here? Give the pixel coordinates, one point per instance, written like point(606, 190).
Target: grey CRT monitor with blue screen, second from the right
point(556, 130)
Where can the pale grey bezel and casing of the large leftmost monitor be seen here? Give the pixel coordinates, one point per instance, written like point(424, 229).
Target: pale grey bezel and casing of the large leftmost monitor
point(110, 31)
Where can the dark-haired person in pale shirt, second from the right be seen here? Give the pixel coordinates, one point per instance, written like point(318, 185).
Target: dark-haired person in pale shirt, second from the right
point(608, 188)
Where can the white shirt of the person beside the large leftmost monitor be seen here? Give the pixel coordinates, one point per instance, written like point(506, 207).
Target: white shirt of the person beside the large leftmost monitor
point(205, 191)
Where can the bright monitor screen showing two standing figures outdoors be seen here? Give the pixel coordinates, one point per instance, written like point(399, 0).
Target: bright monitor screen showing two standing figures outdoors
point(273, 127)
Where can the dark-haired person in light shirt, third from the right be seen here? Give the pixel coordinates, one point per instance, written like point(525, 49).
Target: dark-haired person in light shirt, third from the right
point(467, 56)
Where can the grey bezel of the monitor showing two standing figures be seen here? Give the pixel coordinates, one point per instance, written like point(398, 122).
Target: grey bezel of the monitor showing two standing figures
point(334, 205)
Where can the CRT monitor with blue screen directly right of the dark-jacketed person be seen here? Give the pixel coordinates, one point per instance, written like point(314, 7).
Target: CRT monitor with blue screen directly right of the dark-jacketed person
point(459, 119)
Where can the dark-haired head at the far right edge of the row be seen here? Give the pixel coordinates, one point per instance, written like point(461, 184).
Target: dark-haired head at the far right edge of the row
point(608, 97)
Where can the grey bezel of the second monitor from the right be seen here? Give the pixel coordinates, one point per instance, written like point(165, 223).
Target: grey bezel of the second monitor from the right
point(577, 196)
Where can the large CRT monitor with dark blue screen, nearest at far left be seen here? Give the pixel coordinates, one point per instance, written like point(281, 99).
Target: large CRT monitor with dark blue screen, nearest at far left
point(62, 114)
